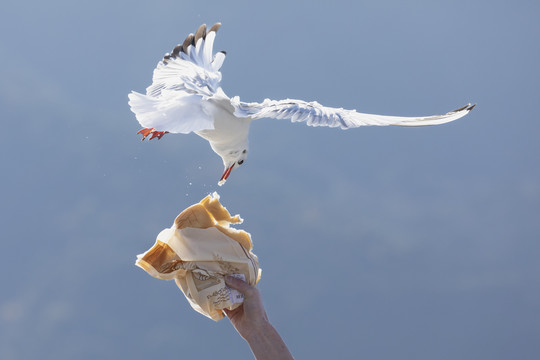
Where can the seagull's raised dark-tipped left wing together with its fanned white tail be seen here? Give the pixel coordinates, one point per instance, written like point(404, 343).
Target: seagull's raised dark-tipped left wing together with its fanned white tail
point(181, 84)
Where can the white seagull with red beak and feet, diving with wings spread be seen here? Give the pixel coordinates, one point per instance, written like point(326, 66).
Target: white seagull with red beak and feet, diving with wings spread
point(185, 96)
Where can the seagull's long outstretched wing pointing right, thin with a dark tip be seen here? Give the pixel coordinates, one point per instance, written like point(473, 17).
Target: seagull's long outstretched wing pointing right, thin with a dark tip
point(314, 114)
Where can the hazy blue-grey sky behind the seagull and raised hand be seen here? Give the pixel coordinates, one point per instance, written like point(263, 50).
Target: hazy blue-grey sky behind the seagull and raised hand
point(377, 243)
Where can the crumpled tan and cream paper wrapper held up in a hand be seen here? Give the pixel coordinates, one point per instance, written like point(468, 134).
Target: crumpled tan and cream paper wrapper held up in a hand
point(198, 251)
